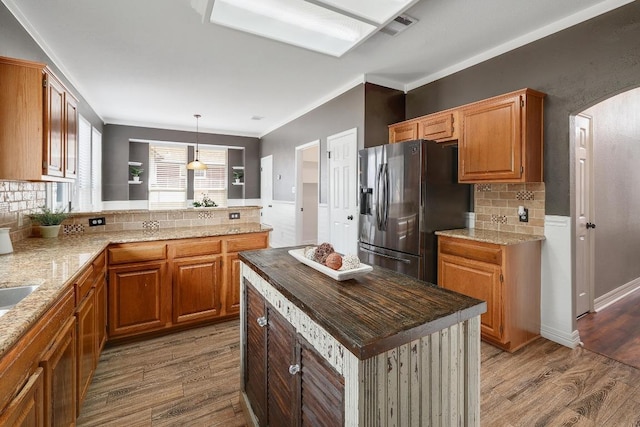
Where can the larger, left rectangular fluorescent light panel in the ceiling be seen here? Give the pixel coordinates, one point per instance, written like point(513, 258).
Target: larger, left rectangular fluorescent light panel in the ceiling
point(294, 22)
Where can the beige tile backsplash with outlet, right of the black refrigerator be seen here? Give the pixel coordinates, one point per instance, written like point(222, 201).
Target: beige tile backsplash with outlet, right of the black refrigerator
point(496, 207)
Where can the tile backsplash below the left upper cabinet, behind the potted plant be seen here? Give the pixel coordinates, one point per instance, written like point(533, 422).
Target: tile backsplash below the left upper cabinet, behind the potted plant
point(17, 201)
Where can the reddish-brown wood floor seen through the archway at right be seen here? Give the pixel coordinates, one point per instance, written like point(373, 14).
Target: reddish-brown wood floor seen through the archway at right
point(614, 331)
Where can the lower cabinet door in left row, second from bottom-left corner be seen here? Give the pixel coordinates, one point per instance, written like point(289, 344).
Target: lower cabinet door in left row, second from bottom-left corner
point(59, 368)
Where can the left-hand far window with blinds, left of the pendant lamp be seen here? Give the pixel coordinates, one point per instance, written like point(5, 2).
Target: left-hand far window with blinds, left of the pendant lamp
point(167, 177)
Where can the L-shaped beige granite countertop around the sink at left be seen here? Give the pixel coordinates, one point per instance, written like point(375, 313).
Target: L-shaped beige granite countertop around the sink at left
point(55, 263)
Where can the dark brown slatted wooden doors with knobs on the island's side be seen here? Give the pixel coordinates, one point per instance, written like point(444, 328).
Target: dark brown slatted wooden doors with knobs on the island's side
point(286, 381)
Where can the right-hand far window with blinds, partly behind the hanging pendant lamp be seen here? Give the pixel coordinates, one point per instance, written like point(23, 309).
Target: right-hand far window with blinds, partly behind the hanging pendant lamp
point(213, 180)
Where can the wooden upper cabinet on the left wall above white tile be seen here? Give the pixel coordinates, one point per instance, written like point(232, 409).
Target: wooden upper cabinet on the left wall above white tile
point(38, 124)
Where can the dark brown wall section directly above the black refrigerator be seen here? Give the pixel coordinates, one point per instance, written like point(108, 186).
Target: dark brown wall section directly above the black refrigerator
point(382, 107)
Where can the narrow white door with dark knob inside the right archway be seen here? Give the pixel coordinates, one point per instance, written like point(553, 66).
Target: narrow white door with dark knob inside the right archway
point(584, 215)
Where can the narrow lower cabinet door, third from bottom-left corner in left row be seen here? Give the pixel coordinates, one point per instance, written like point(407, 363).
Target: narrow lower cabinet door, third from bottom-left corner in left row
point(86, 347)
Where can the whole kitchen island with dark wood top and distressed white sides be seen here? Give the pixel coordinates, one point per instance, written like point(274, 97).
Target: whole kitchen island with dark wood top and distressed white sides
point(380, 349)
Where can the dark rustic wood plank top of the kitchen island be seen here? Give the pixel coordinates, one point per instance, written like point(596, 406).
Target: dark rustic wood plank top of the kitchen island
point(369, 314)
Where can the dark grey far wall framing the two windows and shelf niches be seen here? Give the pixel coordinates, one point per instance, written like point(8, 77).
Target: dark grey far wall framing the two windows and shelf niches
point(115, 156)
